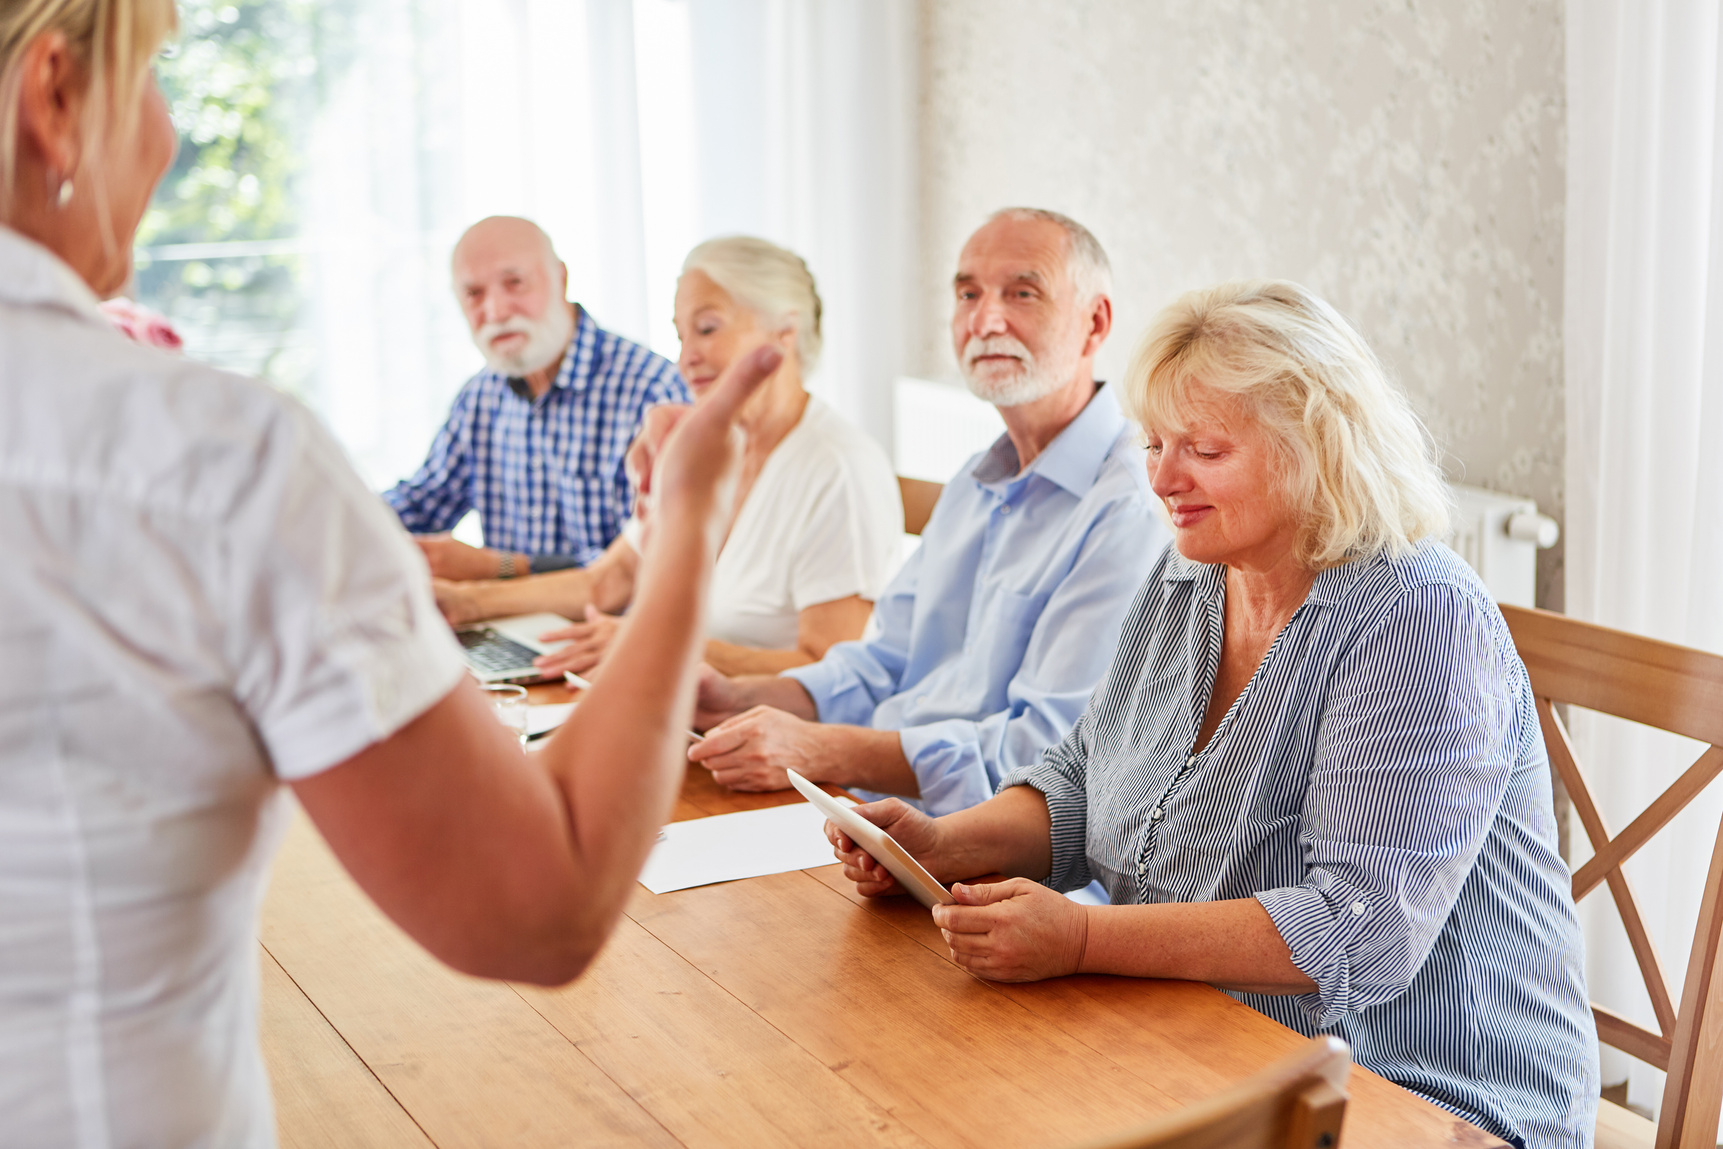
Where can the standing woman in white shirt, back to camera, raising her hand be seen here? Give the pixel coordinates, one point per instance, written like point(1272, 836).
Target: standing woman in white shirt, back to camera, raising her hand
point(199, 604)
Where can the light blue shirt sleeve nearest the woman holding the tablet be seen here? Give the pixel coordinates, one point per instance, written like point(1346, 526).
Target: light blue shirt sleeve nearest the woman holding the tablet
point(1071, 647)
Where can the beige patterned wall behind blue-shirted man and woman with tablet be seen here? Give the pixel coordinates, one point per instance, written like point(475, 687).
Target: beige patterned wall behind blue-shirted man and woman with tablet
point(1402, 158)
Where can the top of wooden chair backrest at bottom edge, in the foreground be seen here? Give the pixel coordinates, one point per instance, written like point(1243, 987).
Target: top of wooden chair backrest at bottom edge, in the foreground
point(1297, 1103)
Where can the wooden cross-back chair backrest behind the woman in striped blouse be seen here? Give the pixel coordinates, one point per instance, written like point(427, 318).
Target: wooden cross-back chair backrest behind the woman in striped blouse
point(1670, 688)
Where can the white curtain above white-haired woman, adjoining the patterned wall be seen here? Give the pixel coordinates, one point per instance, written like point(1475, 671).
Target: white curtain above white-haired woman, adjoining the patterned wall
point(806, 125)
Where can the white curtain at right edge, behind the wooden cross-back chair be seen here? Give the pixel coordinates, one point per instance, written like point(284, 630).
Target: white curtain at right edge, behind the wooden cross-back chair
point(1645, 382)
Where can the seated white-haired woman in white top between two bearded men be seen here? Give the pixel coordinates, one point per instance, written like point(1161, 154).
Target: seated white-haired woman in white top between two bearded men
point(819, 516)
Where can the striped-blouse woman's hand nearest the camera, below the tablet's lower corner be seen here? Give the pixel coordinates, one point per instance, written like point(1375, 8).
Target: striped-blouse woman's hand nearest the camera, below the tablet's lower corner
point(1014, 931)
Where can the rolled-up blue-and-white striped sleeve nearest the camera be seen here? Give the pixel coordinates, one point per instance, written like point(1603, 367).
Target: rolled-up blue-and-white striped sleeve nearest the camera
point(1414, 754)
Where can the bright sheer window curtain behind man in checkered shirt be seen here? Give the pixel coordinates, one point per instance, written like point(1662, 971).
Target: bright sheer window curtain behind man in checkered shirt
point(451, 111)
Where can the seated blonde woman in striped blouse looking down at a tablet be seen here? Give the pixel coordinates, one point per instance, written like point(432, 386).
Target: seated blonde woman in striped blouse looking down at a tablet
point(1314, 774)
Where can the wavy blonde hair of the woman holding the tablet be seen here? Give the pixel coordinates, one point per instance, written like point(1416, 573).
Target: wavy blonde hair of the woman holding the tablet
point(1350, 445)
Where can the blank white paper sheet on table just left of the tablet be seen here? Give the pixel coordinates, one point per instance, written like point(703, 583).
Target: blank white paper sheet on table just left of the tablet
point(733, 847)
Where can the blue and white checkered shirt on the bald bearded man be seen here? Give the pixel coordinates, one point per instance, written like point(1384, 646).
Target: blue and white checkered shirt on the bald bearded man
point(544, 475)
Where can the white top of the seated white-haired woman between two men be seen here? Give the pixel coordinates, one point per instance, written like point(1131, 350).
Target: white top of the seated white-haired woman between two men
point(821, 523)
